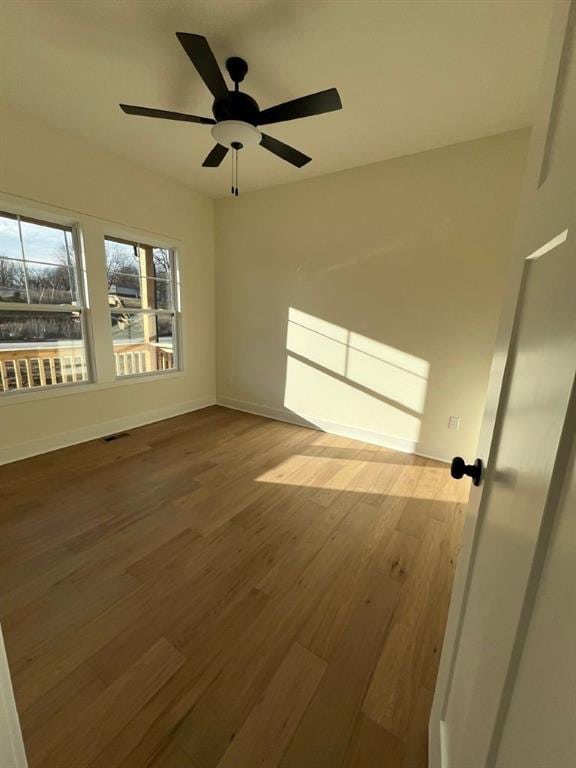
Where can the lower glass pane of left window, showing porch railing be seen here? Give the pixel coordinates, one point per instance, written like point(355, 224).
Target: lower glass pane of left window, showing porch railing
point(40, 349)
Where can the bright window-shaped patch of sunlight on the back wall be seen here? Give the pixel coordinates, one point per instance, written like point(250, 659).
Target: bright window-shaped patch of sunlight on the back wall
point(332, 371)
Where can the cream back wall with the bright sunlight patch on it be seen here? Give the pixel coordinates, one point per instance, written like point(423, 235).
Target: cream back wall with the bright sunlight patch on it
point(366, 302)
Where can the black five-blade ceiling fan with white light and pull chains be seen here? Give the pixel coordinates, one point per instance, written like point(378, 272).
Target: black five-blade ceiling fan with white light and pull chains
point(237, 116)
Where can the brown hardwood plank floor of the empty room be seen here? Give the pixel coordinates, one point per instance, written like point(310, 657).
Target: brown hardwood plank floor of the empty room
point(223, 591)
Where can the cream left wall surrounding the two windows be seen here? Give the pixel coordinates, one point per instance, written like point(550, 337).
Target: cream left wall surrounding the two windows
point(44, 170)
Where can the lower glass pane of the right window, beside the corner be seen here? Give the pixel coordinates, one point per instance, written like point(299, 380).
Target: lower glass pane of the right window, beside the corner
point(142, 342)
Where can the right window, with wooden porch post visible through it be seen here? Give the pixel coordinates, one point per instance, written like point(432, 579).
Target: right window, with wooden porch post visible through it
point(142, 301)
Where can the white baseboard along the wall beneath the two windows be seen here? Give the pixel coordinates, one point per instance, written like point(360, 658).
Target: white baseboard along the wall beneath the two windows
point(103, 428)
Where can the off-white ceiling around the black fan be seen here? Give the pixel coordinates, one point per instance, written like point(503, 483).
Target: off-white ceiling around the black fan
point(412, 74)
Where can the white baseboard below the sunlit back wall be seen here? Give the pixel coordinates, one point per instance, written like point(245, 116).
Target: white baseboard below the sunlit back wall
point(355, 433)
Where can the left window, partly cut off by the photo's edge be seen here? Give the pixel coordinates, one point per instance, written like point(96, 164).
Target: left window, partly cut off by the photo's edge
point(42, 307)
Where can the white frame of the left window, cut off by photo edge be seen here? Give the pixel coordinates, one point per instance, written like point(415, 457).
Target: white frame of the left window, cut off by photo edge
point(82, 307)
